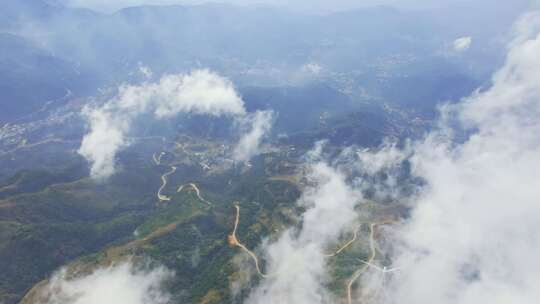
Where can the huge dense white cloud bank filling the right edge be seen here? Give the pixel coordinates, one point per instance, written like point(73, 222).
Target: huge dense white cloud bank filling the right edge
point(474, 233)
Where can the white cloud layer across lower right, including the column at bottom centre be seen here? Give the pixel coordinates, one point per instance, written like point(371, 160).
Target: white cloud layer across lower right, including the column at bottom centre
point(473, 236)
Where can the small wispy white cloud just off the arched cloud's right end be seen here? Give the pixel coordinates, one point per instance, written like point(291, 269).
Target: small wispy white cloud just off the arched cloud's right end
point(259, 124)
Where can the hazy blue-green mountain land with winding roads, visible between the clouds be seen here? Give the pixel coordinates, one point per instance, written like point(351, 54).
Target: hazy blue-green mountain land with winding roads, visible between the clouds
point(352, 79)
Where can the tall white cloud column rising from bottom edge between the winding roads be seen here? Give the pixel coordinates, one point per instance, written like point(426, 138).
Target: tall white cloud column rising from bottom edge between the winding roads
point(296, 262)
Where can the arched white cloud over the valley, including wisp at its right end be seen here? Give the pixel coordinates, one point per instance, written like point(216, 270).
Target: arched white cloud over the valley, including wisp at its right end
point(201, 92)
